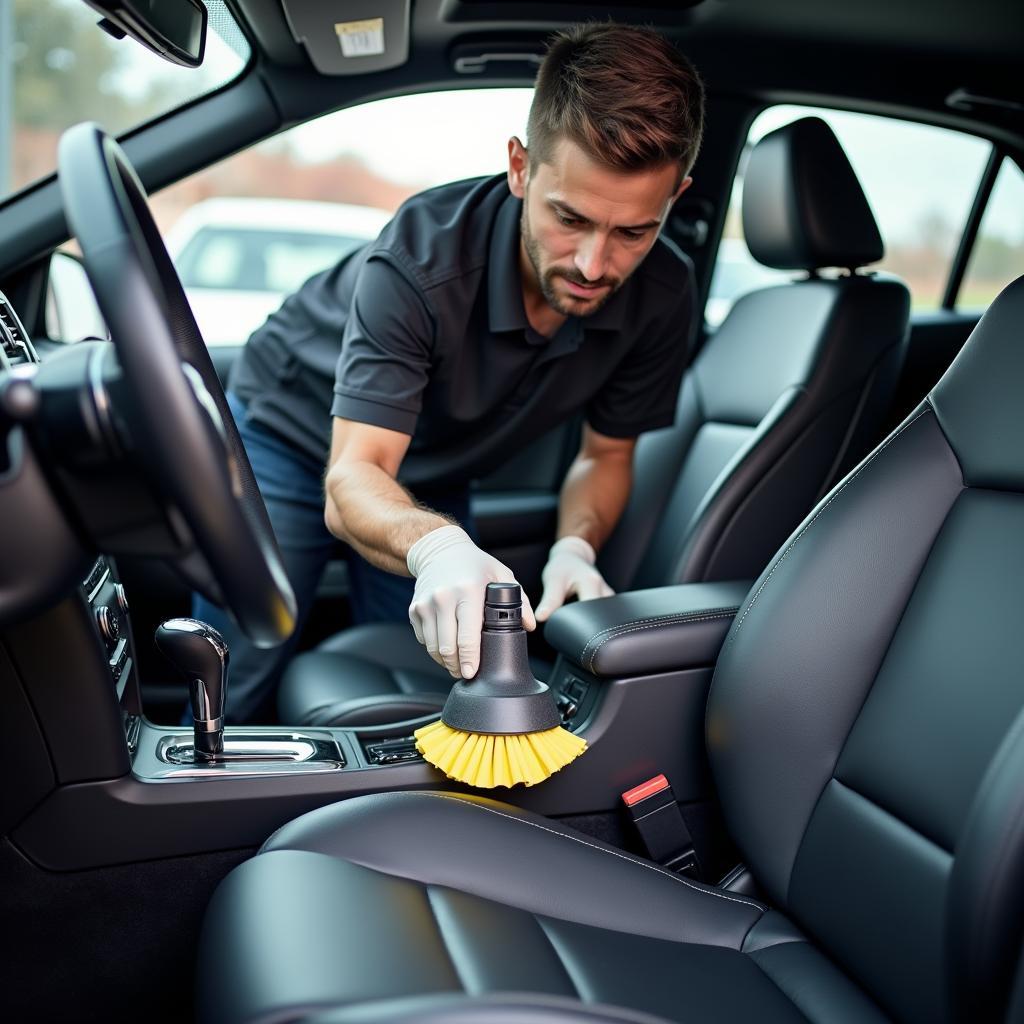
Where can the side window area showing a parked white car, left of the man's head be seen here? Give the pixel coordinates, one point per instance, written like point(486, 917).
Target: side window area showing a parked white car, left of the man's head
point(249, 231)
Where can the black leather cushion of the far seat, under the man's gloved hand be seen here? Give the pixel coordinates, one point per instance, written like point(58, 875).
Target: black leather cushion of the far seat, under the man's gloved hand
point(369, 675)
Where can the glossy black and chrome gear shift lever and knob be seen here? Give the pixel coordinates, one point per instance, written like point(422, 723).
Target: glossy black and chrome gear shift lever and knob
point(199, 653)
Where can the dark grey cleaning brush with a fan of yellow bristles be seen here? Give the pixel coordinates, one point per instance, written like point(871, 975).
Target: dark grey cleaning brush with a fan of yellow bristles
point(502, 728)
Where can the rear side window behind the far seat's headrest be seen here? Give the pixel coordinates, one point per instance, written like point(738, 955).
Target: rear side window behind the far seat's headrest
point(921, 214)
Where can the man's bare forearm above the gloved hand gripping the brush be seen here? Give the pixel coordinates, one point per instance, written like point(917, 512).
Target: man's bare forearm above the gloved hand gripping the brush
point(373, 514)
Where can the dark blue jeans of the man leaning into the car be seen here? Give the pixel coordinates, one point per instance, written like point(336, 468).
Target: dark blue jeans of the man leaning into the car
point(292, 486)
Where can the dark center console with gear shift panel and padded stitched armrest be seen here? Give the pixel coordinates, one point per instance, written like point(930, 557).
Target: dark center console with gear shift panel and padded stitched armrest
point(631, 678)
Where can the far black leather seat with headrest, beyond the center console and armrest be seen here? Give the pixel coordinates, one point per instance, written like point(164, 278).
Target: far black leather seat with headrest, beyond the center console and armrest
point(786, 396)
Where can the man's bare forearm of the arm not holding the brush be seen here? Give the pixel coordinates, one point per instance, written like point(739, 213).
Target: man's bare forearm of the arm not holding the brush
point(593, 497)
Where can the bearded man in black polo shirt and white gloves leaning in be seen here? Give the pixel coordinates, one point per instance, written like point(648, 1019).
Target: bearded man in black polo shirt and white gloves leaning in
point(487, 313)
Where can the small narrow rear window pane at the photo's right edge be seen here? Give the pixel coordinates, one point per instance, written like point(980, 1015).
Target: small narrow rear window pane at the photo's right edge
point(998, 255)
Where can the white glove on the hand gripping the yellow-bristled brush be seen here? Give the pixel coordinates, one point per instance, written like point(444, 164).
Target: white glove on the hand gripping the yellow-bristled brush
point(452, 577)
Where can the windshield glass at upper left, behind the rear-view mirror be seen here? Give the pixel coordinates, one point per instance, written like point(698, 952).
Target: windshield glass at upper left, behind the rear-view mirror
point(59, 68)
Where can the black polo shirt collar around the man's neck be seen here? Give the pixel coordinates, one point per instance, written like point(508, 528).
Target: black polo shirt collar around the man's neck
point(505, 307)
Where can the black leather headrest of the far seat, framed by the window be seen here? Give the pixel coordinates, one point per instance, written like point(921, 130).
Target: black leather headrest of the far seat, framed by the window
point(803, 205)
